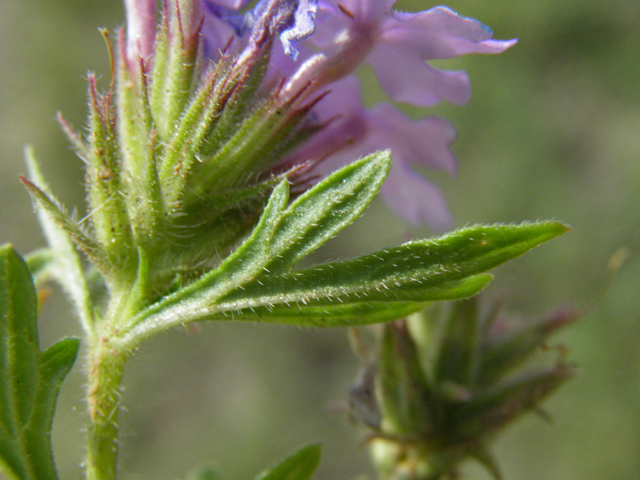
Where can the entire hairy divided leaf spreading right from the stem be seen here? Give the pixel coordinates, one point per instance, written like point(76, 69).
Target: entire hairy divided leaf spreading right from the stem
point(256, 277)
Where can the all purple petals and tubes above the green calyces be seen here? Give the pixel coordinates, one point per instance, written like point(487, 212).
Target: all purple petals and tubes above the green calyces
point(323, 44)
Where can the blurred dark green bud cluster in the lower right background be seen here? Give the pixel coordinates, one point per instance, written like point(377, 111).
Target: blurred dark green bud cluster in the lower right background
point(429, 412)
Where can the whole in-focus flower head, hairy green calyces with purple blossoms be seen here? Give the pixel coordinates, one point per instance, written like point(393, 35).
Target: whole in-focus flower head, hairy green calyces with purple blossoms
point(217, 104)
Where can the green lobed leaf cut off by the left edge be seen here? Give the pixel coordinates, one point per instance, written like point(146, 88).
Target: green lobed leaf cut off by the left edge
point(29, 378)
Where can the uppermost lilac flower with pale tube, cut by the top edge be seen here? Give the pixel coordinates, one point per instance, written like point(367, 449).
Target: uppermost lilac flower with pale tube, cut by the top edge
point(354, 31)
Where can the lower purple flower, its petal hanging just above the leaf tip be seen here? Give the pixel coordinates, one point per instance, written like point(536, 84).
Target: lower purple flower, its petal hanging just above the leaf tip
point(356, 132)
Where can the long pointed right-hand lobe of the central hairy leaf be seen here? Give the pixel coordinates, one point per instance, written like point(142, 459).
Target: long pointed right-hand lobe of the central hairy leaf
point(416, 271)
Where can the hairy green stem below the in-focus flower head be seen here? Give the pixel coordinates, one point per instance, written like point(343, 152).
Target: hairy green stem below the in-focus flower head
point(106, 365)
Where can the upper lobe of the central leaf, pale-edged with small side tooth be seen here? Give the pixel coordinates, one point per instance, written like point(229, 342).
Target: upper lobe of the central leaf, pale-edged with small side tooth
point(282, 236)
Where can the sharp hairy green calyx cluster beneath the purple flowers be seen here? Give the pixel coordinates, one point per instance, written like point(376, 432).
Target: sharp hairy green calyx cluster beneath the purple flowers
point(180, 160)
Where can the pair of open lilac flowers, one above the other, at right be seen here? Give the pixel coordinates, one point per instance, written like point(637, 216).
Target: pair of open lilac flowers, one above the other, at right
point(397, 45)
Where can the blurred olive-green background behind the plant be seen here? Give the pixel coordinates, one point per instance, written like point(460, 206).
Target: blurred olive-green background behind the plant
point(552, 131)
